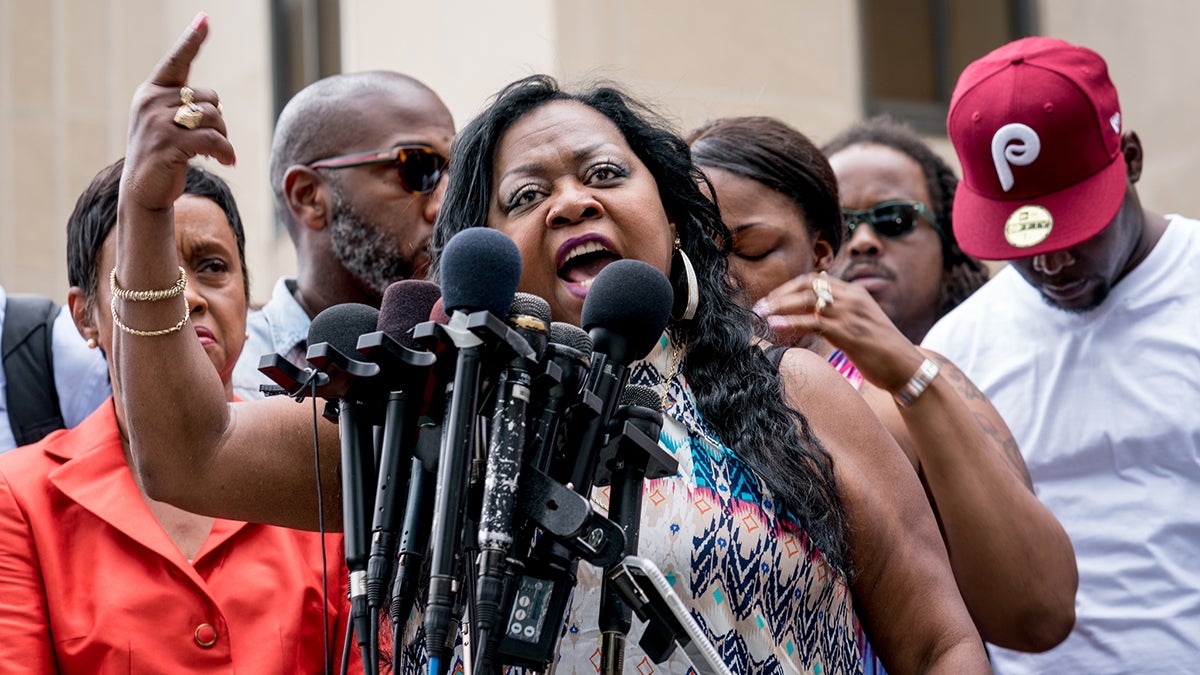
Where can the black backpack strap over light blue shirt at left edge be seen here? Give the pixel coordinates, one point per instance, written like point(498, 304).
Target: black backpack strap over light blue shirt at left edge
point(29, 368)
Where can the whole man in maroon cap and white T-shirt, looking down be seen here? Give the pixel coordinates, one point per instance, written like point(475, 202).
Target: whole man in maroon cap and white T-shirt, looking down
point(1088, 344)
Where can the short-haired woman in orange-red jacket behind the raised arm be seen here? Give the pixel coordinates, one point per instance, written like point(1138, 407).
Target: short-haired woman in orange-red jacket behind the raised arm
point(99, 578)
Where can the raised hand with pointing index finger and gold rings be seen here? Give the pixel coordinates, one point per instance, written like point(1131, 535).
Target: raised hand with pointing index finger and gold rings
point(159, 148)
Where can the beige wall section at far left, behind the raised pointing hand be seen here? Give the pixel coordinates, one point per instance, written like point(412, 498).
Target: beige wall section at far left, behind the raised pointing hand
point(68, 74)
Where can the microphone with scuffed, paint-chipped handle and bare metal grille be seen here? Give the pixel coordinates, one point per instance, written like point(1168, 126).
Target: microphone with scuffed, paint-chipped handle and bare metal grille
point(530, 316)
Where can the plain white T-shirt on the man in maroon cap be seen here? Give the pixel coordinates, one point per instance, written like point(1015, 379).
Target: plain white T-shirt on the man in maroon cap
point(1106, 407)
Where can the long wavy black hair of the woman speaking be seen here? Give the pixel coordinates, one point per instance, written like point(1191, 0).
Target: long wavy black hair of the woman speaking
point(737, 390)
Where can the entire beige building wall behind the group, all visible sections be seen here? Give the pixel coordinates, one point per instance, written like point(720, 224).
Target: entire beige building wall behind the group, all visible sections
point(69, 69)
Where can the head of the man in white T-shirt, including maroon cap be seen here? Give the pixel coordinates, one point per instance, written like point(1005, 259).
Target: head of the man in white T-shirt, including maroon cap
point(1047, 169)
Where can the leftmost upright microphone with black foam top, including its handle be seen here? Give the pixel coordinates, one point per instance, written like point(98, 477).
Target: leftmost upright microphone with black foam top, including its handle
point(333, 336)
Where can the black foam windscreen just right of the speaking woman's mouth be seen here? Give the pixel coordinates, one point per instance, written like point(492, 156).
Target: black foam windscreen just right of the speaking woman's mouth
point(632, 300)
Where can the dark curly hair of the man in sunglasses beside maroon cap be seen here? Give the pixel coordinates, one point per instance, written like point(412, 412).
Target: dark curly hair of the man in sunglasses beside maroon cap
point(964, 274)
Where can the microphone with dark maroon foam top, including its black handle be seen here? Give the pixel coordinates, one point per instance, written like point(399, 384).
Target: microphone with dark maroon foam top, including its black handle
point(406, 369)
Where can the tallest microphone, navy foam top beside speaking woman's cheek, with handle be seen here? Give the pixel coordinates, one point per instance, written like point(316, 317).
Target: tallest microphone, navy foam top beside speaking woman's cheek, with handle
point(481, 271)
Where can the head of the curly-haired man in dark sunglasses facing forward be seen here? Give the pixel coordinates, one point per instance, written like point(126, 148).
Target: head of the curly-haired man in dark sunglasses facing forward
point(897, 195)
